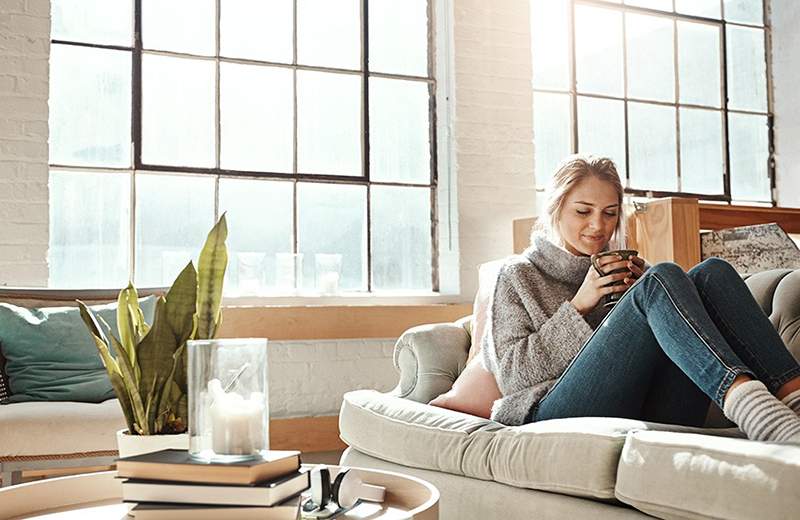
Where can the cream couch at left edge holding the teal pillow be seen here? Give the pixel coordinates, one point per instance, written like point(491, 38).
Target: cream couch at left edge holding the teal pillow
point(58, 434)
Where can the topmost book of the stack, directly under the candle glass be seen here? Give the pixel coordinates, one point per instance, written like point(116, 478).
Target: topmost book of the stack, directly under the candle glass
point(178, 465)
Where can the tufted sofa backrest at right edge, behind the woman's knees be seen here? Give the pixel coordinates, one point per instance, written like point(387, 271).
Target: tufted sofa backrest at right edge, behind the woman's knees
point(778, 293)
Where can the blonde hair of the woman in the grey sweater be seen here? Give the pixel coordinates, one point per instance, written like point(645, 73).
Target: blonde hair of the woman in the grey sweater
point(572, 170)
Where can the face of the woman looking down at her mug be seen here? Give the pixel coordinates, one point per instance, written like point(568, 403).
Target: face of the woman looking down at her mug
point(589, 216)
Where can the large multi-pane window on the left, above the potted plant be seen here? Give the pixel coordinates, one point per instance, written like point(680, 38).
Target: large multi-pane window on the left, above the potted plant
point(310, 122)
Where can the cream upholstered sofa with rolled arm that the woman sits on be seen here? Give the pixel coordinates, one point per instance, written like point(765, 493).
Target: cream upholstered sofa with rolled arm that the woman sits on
point(591, 467)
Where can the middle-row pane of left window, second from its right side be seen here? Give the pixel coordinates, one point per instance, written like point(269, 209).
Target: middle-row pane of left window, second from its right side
point(328, 123)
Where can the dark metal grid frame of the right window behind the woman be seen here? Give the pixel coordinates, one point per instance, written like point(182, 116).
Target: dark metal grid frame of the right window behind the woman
point(723, 109)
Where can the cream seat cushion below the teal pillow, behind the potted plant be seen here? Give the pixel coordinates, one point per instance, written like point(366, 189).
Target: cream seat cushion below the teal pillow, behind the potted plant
point(42, 428)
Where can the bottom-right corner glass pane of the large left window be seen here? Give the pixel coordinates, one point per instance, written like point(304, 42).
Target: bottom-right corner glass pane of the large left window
point(401, 221)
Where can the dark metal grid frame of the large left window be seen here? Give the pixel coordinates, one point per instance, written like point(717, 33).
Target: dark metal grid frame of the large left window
point(138, 51)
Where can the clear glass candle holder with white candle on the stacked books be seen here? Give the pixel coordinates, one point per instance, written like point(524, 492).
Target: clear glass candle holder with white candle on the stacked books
point(228, 399)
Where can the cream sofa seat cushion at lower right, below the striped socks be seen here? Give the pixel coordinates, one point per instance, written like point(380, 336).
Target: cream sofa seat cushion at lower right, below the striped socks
point(683, 475)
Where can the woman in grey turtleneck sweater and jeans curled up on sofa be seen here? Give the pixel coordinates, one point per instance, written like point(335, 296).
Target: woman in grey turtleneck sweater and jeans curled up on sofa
point(673, 341)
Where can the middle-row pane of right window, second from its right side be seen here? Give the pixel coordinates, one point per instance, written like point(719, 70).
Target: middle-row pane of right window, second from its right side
point(699, 63)
